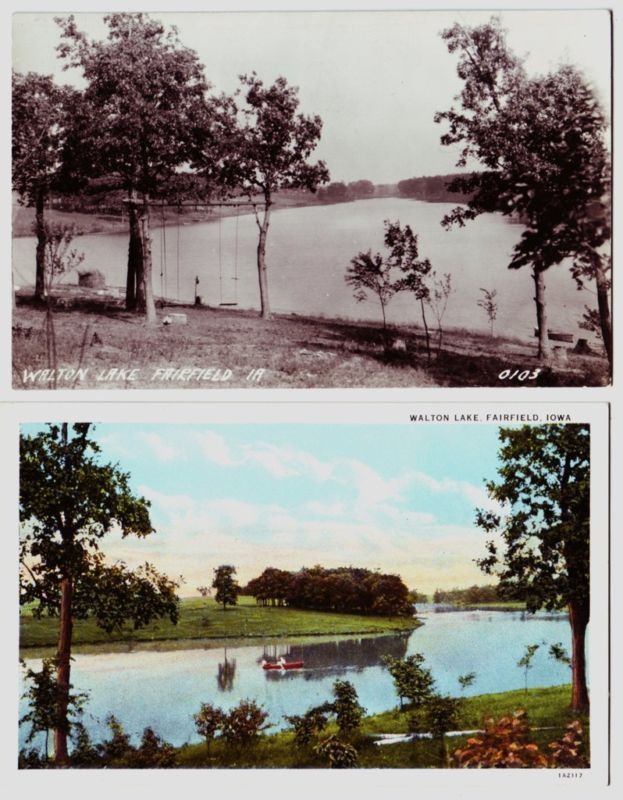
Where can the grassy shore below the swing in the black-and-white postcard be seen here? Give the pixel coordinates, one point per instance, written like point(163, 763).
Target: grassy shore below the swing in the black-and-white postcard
point(114, 349)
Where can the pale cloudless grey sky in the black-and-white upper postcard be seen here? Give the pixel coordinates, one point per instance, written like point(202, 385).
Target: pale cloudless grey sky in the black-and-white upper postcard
point(375, 78)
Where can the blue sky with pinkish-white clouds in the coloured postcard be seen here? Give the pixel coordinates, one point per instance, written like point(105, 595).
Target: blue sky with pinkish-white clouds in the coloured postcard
point(395, 497)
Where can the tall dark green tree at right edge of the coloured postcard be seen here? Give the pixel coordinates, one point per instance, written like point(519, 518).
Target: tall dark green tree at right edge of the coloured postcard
point(541, 554)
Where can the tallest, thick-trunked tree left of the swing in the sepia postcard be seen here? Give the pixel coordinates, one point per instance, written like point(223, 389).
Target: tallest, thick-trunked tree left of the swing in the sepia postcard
point(143, 104)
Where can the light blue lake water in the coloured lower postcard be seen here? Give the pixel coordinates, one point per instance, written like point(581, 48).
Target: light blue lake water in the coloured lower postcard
point(164, 689)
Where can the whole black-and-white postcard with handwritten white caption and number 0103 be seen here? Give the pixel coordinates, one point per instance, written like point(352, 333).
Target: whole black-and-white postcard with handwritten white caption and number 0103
point(311, 199)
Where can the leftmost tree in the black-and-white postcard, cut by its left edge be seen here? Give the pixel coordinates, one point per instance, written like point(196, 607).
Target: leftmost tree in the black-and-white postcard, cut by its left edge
point(40, 114)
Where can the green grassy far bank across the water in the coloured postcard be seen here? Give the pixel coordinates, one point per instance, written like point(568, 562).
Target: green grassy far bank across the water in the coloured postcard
point(202, 619)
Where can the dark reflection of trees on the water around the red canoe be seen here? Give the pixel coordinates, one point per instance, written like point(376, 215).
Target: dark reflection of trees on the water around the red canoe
point(335, 658)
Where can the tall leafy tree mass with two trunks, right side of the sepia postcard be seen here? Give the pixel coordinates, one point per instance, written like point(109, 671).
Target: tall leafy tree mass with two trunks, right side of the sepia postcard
point(538, 139)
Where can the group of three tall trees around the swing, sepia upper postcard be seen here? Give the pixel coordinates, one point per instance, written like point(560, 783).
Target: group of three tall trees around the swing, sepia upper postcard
point(146, 117)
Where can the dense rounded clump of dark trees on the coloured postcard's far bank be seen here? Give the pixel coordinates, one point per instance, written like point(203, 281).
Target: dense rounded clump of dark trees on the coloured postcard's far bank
point(345, 589)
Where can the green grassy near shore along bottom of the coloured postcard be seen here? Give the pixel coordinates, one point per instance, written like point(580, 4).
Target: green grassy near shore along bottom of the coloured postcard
point(547, 709)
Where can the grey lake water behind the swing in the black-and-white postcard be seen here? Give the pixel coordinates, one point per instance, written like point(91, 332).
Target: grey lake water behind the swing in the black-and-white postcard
point(309, 250)
